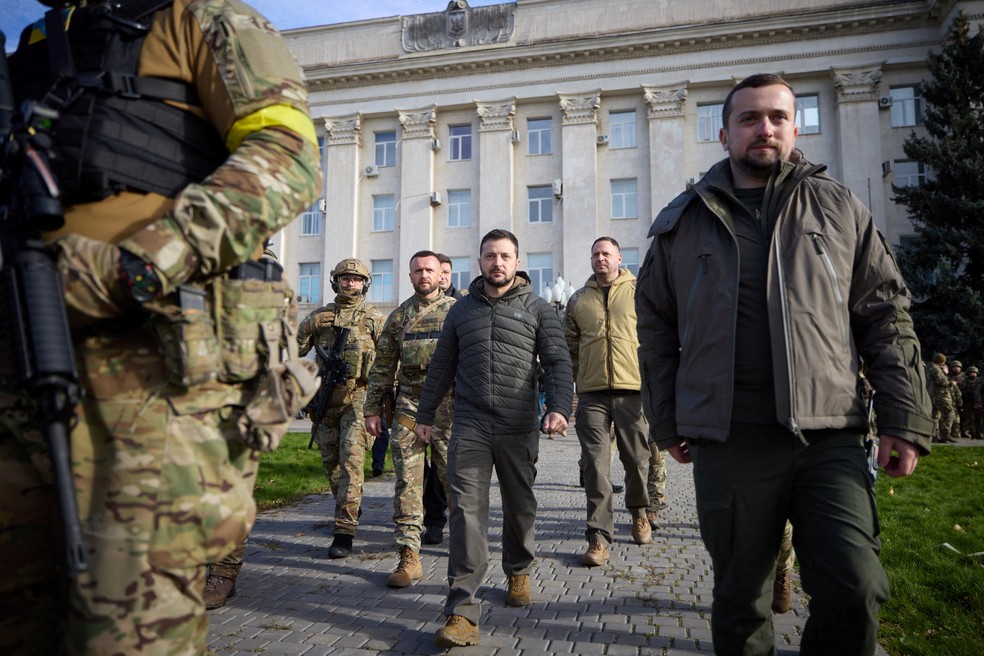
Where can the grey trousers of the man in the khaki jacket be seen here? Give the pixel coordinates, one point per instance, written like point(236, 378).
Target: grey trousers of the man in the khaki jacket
point(596, 413)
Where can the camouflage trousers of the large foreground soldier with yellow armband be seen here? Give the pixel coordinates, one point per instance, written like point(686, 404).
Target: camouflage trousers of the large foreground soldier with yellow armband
point(163, 487)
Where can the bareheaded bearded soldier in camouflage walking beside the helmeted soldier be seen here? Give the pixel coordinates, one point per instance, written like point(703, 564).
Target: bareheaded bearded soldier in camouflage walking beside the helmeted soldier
point(403, 354)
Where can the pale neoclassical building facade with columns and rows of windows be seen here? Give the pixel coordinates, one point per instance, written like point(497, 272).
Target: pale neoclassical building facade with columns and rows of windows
point(565, 120)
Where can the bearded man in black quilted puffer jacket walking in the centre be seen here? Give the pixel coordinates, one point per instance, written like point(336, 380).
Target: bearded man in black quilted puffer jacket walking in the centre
point(489, 349)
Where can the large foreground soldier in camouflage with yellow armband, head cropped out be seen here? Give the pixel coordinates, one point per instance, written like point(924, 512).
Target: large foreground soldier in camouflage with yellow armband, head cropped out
point(162, 463)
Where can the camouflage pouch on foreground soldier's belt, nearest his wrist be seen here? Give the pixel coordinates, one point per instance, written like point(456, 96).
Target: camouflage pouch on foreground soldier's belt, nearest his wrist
point(186, 337)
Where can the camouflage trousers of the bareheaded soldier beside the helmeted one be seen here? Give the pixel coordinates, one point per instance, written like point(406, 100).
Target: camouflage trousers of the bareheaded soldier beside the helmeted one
point(409, 454)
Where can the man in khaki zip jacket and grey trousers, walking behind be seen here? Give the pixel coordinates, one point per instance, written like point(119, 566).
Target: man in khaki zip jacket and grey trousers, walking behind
point(601, 334)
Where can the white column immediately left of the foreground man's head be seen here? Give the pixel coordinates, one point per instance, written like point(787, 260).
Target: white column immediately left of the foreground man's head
point(668, 164)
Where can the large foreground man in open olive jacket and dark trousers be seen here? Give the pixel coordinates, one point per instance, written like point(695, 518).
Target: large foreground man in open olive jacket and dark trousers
point(765, 286)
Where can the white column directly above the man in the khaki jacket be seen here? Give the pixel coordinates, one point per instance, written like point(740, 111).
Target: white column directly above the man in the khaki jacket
point(578, 208)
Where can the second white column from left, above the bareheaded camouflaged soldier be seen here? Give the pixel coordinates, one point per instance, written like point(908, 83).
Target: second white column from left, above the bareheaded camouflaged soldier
point(414, 213)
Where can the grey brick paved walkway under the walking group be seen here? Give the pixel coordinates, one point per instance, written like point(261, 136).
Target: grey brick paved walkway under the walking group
point(654, 599)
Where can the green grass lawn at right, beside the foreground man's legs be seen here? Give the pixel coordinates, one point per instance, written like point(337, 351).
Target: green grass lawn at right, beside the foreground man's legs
point(937, 605)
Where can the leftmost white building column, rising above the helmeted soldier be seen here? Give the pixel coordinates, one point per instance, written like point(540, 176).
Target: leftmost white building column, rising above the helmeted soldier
point(343, 139)
